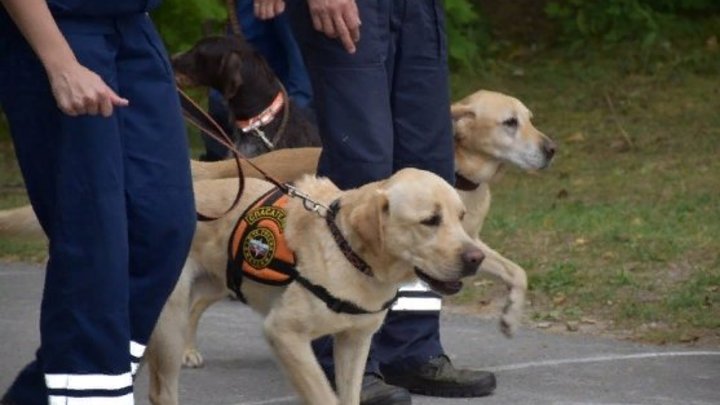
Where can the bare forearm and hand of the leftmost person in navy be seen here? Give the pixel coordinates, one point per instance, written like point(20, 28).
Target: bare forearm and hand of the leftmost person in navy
point(76, 89)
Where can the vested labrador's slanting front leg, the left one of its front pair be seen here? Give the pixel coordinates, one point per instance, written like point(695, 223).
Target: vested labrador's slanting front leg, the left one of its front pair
point(295, 353)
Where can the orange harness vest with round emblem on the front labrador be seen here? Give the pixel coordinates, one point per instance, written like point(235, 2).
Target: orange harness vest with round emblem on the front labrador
point(257, 248)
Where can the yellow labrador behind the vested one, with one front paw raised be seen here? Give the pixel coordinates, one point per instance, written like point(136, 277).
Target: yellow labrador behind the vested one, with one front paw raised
point(491, 130)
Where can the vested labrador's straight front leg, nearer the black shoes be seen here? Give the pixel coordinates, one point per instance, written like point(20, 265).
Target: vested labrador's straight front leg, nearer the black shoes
point(350, 353)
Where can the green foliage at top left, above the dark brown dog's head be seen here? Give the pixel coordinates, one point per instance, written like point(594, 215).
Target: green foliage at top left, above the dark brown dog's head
point(182, 22)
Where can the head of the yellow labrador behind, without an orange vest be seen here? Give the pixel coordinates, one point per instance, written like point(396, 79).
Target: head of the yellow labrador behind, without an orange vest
point(498, 127)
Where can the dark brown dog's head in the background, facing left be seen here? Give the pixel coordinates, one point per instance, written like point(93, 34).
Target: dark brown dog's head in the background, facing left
point(221, 62)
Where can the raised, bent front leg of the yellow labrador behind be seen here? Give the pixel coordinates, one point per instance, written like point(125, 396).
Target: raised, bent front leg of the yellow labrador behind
point(515, 278)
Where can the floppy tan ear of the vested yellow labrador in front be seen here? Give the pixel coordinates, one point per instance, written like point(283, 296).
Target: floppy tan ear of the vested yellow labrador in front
point(368, 220)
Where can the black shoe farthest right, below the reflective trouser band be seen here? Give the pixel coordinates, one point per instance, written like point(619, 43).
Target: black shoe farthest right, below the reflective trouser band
point(439, 378)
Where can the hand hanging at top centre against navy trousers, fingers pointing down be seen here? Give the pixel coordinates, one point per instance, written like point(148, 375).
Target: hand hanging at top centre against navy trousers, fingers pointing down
point(337, 19)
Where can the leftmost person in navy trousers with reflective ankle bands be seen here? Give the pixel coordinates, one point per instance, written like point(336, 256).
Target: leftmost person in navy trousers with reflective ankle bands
point(95, 120)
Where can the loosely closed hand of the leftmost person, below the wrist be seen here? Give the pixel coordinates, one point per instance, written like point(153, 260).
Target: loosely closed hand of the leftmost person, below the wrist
point(79, 91)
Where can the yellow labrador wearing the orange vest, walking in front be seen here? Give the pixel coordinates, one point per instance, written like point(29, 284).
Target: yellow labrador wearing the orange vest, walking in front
point(351, 260)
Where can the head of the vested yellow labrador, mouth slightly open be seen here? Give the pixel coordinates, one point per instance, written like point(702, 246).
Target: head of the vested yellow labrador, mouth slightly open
point(414, 218)
